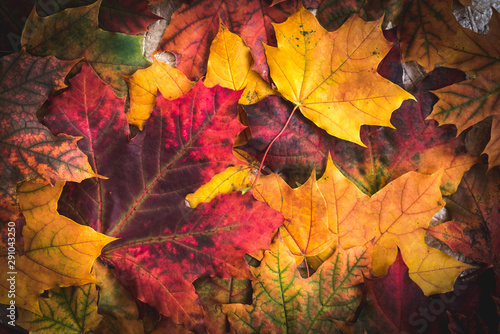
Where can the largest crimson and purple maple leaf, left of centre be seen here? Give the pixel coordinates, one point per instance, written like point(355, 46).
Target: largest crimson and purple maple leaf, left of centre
point(165, 245)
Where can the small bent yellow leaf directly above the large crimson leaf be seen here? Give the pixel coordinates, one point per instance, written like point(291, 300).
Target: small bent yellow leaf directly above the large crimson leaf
point(144, 84)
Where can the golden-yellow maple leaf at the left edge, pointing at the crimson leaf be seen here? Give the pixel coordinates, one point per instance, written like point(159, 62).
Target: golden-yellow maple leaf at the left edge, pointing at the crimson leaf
point(57, 251)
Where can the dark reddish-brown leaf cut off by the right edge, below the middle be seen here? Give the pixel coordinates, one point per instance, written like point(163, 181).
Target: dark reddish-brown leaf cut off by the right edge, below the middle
point(474, 230)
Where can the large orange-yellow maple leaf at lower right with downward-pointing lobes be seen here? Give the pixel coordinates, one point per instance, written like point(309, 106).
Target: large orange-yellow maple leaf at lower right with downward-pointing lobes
point(396, 216)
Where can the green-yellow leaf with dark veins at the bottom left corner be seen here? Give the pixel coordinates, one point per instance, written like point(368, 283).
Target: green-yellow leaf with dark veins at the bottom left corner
point(71, 310)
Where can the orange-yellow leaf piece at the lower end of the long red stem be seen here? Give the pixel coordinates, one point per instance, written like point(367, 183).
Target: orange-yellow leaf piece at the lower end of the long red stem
point(305, 229)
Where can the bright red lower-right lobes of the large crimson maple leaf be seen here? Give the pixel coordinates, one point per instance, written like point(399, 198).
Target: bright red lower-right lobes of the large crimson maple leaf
point(209, 241)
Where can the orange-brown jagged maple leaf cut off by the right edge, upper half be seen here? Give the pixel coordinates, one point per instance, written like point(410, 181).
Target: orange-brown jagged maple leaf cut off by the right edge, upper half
point(471, 101)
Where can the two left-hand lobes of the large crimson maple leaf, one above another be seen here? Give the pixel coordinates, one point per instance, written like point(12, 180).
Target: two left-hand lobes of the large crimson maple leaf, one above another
point(89, 109)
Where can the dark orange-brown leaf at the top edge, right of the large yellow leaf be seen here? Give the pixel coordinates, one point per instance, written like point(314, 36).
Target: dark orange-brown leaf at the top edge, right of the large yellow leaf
point(424, 25)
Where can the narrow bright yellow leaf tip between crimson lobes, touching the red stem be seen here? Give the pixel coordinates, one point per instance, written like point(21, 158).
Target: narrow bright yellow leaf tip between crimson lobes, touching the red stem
point(232, 179)
